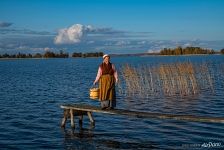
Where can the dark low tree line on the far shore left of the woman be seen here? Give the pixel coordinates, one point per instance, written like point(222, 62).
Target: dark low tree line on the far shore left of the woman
point(49, 54)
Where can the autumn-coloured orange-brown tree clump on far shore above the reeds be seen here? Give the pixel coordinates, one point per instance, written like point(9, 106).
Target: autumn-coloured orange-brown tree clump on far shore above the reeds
point(187, 50)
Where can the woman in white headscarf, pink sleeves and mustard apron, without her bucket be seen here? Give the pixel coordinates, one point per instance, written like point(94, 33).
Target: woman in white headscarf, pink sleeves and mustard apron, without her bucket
point(107, 77)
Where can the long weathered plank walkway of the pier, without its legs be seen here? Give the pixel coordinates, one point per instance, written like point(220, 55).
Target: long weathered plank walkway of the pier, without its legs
point(138, 114)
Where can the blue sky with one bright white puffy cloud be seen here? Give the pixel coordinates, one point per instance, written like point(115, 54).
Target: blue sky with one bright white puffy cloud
point(111, 26)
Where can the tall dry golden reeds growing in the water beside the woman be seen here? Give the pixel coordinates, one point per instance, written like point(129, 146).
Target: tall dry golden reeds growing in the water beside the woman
point(174, 79)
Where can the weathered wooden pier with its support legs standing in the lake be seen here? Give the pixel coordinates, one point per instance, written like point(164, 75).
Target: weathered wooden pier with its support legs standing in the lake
point(71, 110)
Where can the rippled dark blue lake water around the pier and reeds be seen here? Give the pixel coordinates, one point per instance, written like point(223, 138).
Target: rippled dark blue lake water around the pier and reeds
point(32, 90)
